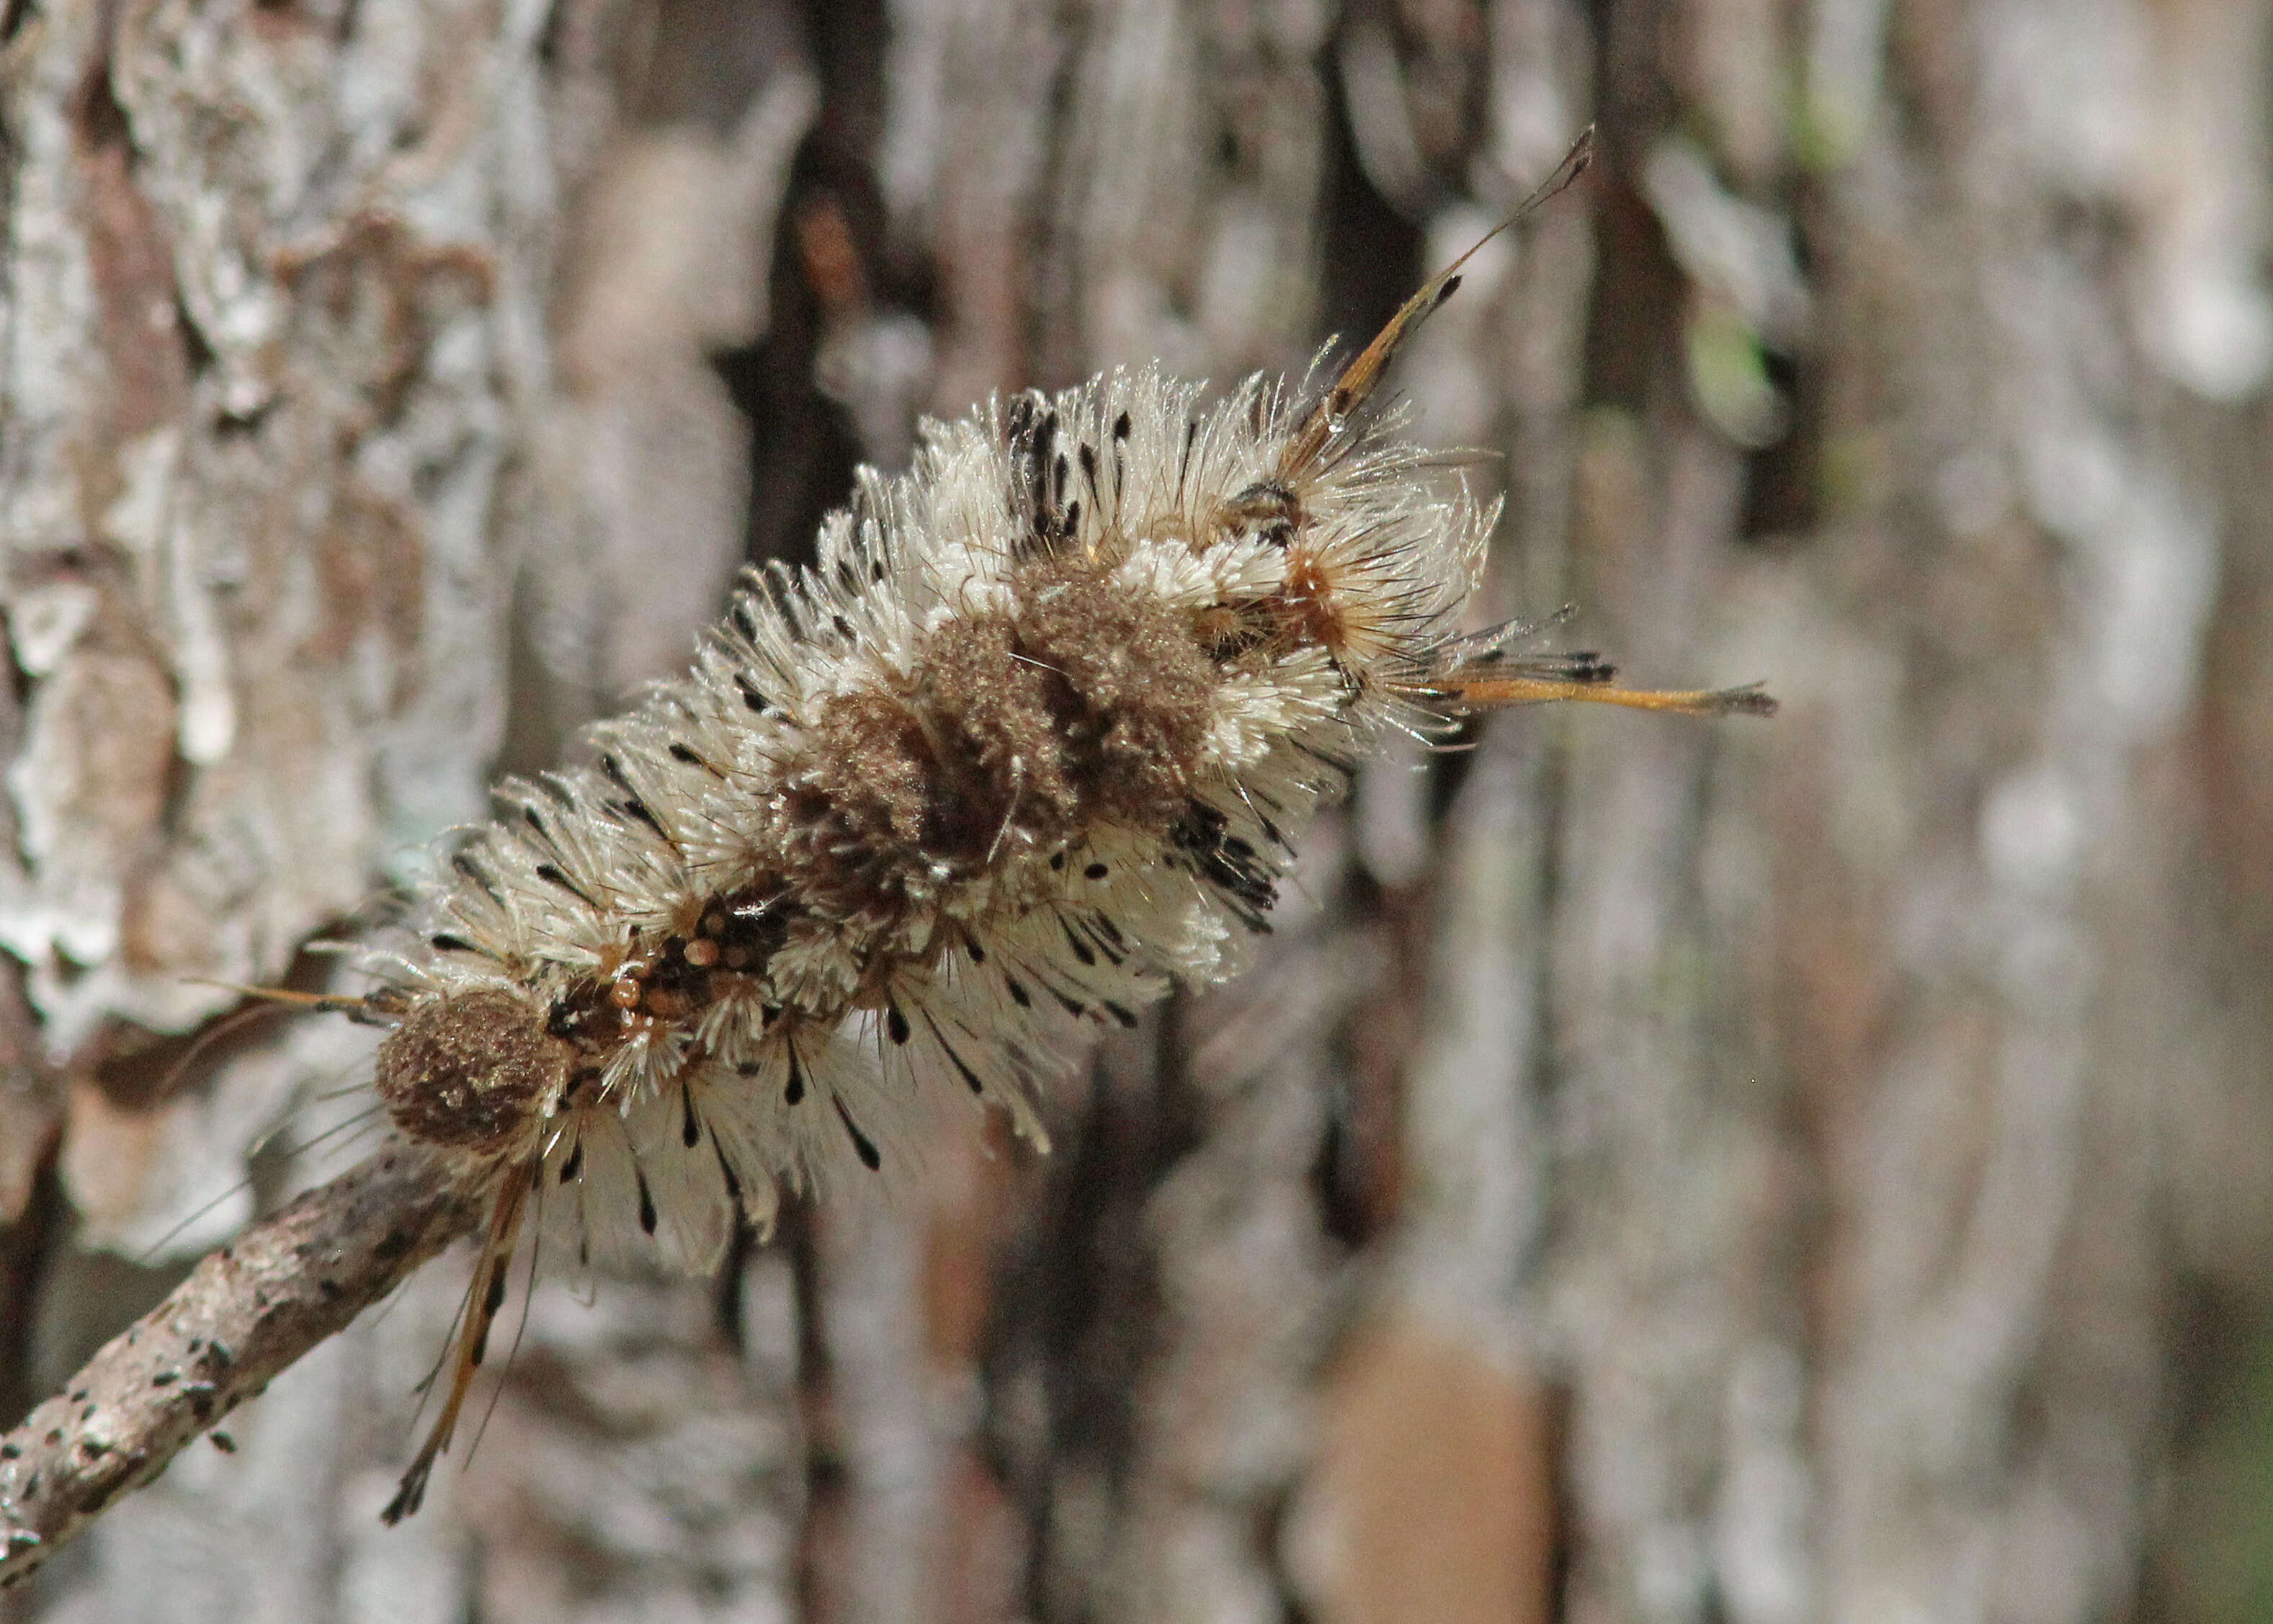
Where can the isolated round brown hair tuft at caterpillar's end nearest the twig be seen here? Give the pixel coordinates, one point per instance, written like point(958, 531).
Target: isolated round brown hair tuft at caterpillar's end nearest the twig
point(472, 1072)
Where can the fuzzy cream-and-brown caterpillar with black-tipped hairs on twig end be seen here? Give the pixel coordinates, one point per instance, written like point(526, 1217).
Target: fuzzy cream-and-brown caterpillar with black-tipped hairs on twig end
point(1031, 740)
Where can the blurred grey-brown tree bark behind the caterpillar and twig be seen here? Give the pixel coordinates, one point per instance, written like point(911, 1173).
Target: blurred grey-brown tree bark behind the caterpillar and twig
point(1760, 1173)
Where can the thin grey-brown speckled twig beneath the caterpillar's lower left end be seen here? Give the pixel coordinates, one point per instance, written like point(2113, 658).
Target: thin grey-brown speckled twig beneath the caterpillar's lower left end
point(240, 1318)
